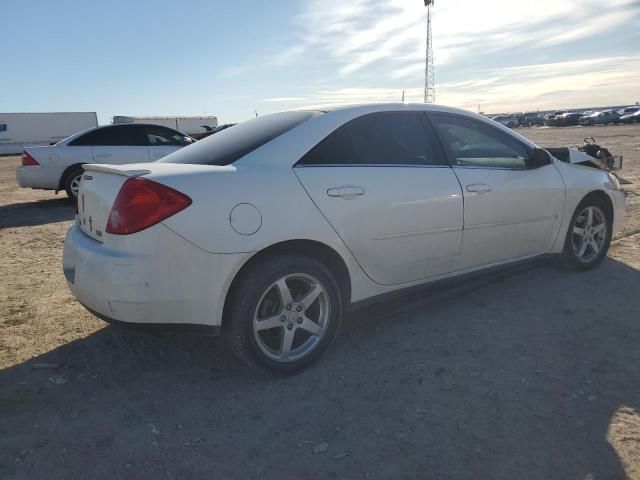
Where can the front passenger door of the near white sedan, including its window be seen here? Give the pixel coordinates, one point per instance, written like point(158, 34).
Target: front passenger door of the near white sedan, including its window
point(511, 210)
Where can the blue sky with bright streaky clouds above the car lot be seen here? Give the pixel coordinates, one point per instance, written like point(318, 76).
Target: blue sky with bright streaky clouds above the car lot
point(234, 58)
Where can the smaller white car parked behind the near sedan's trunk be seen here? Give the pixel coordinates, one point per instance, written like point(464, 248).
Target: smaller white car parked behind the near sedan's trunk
point(59, 167)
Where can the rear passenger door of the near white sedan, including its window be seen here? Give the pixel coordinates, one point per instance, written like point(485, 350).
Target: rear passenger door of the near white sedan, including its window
point(383, 183)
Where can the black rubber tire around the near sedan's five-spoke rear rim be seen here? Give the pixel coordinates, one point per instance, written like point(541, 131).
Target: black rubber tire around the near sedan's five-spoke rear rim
point(253, 289)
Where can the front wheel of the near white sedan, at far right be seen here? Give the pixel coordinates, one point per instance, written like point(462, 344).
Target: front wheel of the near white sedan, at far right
point(589, 236)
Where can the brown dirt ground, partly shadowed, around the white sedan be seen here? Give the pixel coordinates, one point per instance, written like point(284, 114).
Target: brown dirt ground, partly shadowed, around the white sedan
point(532, 373)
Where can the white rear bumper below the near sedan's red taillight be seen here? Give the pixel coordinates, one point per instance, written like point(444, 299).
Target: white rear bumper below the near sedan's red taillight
point(167, 281)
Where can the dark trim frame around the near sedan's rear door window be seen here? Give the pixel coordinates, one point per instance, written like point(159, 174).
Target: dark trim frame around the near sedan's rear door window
point(429, 131)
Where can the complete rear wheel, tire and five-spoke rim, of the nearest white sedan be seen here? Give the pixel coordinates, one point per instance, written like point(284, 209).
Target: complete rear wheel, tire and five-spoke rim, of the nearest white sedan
point(284, 313)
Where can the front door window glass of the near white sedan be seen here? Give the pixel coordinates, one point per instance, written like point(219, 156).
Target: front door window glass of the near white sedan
point(474, 143)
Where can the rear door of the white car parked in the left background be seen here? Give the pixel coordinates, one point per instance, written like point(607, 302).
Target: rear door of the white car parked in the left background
point(119, 144)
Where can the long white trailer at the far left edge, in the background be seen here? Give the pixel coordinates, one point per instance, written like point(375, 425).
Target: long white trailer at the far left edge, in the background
point(19, 130)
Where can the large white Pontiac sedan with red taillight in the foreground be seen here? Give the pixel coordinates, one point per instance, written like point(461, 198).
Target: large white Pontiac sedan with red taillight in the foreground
point(269, 230)
